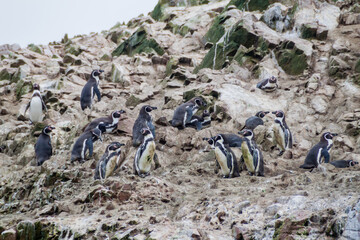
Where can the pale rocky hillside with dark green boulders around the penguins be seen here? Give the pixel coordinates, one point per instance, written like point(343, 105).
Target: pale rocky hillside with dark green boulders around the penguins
point(215, 49)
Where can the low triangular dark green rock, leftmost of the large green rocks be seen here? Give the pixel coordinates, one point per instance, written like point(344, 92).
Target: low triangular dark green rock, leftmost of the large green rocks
point(139, 42)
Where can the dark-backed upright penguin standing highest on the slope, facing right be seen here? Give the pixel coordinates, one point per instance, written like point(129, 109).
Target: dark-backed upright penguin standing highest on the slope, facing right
point(90, 89)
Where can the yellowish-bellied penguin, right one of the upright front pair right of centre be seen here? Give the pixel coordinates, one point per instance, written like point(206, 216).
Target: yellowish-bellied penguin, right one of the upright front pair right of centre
point(251, 154)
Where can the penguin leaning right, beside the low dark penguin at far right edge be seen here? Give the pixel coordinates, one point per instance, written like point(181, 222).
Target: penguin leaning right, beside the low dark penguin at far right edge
point(319, 151)
